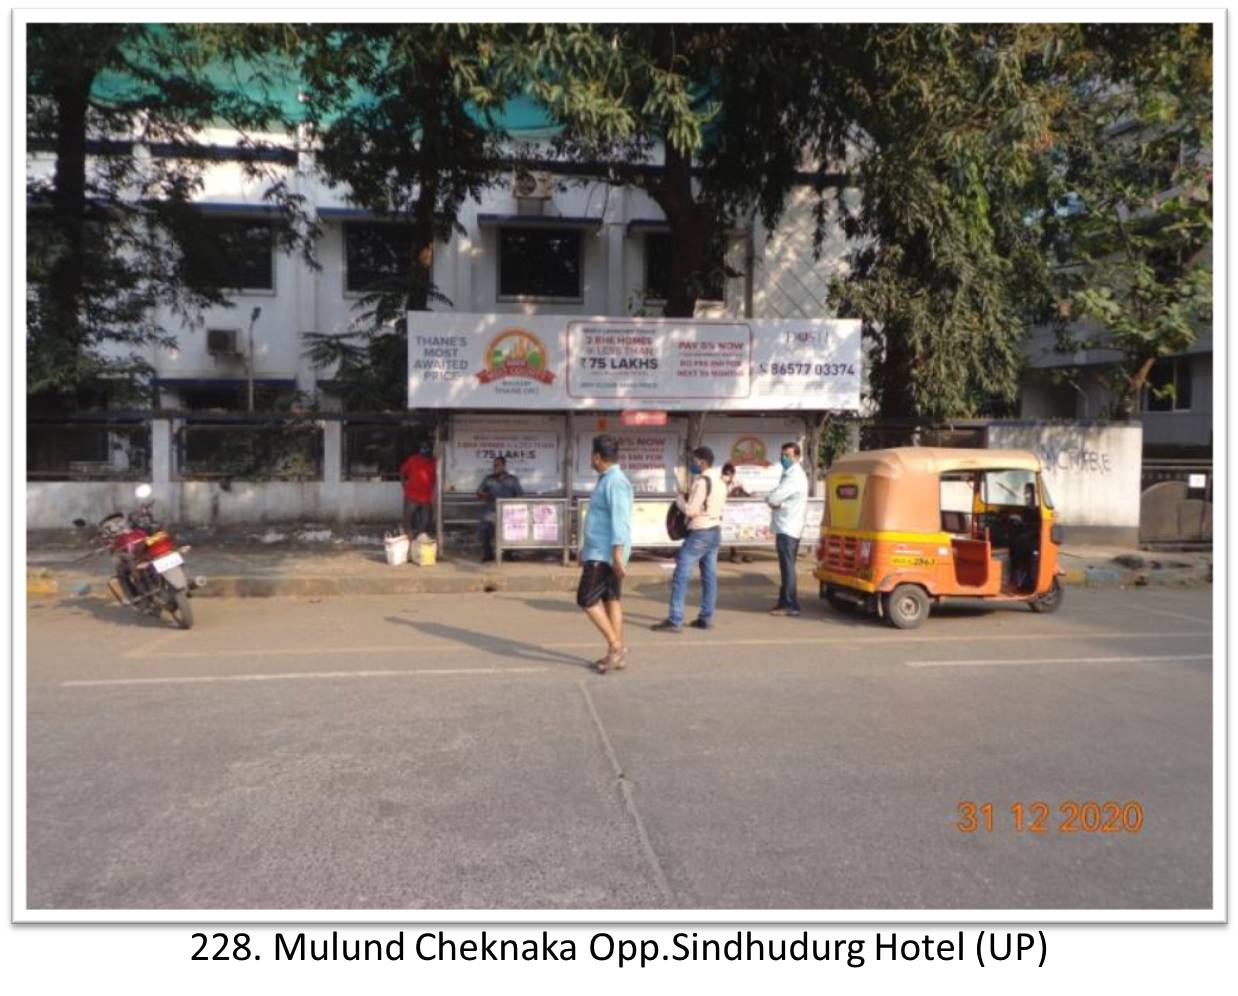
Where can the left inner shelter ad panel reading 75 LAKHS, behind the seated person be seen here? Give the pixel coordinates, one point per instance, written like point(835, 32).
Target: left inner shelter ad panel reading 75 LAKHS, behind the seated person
point(532, 445)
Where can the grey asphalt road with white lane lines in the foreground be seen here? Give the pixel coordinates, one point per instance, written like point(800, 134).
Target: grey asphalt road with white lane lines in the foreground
point(456, 753)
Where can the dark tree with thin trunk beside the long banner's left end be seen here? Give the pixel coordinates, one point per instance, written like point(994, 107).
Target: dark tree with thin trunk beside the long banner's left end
point(404, 116)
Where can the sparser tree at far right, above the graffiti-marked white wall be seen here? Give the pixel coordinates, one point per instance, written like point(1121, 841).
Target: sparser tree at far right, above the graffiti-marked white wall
point(1132, 227)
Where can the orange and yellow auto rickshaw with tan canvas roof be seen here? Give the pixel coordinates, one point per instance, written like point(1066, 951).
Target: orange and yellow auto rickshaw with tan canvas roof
point(908, 528)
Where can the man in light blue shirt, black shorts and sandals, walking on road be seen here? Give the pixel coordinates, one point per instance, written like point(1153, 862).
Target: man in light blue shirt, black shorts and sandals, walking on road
point(606, 546)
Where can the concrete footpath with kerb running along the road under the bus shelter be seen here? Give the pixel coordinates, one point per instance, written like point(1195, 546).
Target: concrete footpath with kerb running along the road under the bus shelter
point(321, 570)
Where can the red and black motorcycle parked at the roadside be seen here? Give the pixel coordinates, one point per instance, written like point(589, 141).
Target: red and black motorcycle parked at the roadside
point(149, 569)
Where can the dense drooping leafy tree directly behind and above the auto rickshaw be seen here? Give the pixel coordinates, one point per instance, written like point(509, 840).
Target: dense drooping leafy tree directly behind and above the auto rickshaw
point(951, 127)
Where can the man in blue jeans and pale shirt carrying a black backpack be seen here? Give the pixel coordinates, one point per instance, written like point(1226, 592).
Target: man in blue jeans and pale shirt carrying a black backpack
point(703, 507)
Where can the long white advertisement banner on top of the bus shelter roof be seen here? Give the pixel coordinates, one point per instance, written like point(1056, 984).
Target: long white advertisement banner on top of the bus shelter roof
point(460, 361)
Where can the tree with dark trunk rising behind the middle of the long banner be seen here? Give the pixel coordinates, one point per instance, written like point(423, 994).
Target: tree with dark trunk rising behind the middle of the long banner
point(674, 111)
